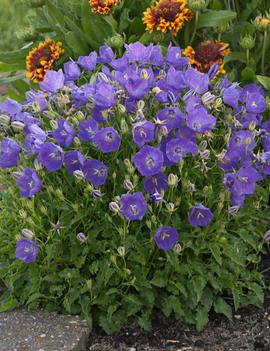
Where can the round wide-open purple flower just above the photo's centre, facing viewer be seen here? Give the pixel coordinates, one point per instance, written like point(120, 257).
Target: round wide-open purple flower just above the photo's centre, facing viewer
point(149, 160)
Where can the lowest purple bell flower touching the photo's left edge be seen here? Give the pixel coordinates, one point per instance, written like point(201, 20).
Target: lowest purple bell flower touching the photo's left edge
point(9, 153)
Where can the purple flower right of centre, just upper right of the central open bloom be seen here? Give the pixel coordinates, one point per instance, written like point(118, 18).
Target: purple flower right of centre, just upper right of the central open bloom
point(177, 149)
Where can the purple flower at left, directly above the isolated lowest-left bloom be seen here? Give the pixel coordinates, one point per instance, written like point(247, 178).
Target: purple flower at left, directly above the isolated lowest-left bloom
point(29, 183)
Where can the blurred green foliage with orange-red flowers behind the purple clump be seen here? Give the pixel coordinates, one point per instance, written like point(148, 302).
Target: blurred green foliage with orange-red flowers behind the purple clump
point(236, 31)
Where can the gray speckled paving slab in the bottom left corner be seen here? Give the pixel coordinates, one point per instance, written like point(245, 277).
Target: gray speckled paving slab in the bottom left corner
point(21, 330)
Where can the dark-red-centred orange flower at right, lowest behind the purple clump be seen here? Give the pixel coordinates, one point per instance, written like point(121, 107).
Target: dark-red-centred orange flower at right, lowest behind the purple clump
point(207, 54)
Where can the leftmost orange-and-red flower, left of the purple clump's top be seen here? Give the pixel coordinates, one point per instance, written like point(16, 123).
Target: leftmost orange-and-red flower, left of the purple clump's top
point(42, 58)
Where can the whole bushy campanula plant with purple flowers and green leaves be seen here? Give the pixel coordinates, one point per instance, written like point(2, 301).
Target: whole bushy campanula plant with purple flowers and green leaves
point(133, 184)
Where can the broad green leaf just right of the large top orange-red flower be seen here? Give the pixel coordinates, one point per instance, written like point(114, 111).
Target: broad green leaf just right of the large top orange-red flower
point(215, 18)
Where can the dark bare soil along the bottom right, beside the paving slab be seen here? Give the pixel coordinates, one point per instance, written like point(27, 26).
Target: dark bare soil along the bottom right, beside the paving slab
point(249, 330)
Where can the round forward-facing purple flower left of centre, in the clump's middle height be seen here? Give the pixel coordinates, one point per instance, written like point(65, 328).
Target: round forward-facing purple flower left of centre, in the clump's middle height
point(107, 140)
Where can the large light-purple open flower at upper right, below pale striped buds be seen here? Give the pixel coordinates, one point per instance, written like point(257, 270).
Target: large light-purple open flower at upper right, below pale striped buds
point(201, 121)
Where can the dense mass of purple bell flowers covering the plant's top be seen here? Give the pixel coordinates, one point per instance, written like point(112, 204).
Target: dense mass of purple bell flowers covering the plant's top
point(143, 116)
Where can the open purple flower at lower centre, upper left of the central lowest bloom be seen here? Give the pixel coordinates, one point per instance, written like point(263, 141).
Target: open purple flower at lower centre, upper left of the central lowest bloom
point(133, 206)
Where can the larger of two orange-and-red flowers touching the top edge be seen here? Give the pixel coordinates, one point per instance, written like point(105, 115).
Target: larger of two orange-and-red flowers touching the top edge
point(167, 15)
